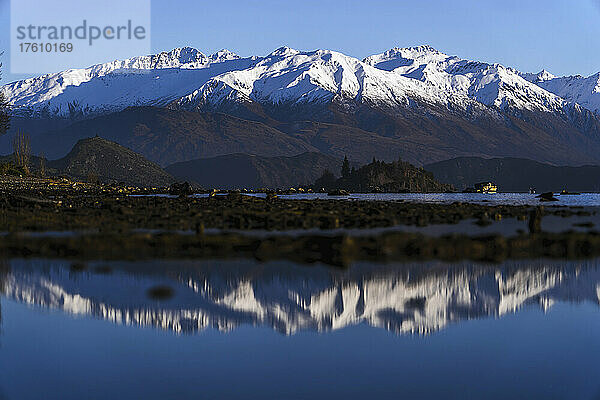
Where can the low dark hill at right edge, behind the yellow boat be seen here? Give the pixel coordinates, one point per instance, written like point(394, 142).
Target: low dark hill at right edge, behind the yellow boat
point(516, 175)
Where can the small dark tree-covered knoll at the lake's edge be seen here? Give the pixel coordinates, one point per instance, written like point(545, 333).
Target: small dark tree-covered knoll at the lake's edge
point(378, 176)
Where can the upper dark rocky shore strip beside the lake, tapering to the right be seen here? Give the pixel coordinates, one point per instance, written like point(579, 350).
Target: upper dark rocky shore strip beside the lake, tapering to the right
point(123, 210)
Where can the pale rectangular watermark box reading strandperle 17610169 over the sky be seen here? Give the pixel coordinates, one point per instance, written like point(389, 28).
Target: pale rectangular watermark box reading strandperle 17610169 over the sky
point(52, 36)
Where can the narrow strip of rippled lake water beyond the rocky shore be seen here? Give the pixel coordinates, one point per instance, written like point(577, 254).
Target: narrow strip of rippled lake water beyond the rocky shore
point(584, 199)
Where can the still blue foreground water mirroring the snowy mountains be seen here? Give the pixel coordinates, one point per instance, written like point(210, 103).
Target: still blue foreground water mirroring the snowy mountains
point(241, 329)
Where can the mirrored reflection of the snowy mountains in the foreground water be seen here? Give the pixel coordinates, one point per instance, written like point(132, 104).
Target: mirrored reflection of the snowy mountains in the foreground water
point(188, 297)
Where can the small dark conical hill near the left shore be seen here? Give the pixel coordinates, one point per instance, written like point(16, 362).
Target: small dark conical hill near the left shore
point(110, 162)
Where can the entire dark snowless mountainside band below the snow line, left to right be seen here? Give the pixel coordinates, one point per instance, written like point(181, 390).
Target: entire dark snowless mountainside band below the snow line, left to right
point(418, 133)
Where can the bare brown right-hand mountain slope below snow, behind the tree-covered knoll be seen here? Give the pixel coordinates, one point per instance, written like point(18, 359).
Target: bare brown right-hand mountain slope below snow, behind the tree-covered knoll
point(423, 133)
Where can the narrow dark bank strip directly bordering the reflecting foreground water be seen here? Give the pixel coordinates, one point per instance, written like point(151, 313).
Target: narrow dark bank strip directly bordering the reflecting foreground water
point(338, 250)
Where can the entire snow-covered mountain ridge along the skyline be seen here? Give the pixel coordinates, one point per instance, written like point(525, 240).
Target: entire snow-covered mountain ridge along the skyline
point(225, 71)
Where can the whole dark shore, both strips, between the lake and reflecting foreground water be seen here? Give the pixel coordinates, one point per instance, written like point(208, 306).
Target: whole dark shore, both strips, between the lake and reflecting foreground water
point(90, 222)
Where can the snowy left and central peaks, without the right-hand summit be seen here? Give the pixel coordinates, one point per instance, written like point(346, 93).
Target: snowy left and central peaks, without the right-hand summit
point(191, 78)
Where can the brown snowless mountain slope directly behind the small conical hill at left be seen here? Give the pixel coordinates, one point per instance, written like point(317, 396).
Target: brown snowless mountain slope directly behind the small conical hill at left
point(166, 136)
